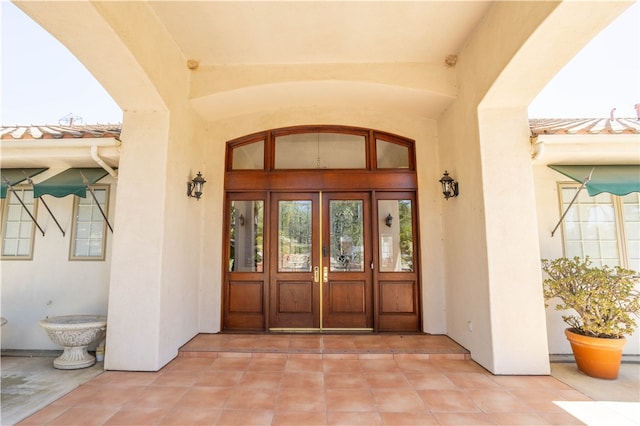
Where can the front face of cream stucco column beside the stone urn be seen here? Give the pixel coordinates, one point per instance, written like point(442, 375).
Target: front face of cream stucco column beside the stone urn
point(135, 291)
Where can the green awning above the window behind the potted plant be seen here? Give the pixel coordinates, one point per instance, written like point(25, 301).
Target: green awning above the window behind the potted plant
point(615, 179)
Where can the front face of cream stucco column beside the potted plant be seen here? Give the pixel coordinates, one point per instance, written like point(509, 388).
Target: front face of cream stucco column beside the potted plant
point(516, 304)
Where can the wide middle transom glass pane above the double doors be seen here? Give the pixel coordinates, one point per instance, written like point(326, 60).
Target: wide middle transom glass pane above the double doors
point(320, 151)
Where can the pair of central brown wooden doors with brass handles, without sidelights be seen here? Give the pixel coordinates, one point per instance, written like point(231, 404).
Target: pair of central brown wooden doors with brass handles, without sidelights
point(321, 261)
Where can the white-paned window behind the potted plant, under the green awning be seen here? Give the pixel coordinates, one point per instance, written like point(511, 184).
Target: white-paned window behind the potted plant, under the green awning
point(604, 227)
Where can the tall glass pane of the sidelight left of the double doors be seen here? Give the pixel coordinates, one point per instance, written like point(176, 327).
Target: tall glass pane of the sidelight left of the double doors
point(246, 250)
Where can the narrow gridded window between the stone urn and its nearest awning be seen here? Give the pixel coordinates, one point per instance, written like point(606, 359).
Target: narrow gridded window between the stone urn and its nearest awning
point(89, 227)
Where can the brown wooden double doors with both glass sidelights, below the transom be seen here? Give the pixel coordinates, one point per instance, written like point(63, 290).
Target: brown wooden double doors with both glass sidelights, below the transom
point(312, 261)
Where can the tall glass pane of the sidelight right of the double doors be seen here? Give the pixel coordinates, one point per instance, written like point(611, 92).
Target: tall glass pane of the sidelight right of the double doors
point(396, 235)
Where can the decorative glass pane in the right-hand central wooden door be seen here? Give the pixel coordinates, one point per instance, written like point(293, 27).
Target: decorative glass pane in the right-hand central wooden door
point(346, 235)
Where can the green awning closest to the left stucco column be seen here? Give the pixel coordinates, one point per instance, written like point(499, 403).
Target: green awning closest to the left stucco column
point(69, 182)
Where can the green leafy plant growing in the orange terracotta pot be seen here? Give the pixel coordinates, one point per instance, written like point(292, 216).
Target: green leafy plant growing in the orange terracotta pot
point(605, 299)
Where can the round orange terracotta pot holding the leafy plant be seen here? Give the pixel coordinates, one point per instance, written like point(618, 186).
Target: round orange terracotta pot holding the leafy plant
point(596, 357)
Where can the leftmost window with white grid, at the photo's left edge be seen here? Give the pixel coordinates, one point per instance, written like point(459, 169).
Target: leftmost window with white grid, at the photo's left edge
point(18, 229)
